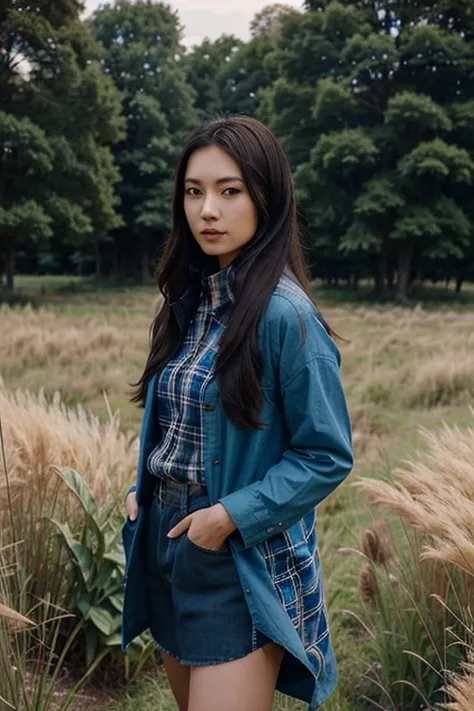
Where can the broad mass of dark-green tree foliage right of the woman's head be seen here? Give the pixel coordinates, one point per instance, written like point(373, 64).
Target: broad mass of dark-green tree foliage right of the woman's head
point(374, 105)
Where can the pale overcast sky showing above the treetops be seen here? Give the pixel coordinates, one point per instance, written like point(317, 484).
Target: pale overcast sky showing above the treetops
point(212, 18)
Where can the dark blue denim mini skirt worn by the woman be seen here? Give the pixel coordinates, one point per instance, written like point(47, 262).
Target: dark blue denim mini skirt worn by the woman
point(198, 612)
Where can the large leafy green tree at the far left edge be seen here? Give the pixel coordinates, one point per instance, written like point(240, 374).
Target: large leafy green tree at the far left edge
point(58, 114)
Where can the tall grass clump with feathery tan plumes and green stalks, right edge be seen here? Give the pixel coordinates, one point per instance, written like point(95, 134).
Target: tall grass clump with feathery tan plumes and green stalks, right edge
point(418, 604)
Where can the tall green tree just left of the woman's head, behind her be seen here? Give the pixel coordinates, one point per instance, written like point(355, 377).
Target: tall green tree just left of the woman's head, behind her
point(144, 57)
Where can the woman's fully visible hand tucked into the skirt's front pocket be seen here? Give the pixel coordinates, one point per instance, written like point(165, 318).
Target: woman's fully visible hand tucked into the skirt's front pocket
point(207, 527)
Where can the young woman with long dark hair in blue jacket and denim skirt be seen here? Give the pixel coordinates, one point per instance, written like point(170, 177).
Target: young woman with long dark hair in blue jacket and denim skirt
point(245, 431)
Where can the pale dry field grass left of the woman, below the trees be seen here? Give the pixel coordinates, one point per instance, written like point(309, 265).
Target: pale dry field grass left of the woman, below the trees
point(80, 355)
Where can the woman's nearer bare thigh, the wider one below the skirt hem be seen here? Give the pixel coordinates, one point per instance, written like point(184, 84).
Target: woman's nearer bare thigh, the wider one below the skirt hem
point(246, 684)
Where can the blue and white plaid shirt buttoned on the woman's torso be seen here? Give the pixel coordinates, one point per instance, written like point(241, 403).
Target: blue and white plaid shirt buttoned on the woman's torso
point(181, 385)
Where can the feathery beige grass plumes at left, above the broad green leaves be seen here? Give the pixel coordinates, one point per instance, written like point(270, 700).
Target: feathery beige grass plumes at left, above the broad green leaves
point(39, 433)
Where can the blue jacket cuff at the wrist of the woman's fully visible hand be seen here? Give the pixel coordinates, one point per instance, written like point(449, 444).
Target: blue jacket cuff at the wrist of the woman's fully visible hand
point(251, 517)
